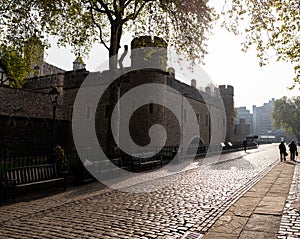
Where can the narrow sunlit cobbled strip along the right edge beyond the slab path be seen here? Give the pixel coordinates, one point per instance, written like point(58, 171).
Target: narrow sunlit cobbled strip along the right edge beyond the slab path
point(290, 222)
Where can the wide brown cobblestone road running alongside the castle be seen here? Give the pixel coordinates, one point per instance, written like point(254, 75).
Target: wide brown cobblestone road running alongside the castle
point(191, 201)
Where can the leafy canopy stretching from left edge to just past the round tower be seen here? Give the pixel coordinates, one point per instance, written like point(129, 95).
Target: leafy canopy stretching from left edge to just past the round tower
point(182, 23)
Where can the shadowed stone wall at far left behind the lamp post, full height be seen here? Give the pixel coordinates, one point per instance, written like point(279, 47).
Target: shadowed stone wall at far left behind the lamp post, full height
point(26, 121)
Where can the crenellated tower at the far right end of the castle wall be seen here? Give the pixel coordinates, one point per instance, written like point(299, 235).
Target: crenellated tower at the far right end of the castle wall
point(227, 94)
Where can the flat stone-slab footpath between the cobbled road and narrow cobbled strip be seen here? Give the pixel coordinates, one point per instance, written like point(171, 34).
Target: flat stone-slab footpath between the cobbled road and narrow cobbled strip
point(257, 214)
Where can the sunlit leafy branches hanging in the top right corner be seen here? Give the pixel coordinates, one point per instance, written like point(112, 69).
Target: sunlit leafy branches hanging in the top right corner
point(268, 25)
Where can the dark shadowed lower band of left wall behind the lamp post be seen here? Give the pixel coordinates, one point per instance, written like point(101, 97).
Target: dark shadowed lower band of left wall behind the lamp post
point(32, 135)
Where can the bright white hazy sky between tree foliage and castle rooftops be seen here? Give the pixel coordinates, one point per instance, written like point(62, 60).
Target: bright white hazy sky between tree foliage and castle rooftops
point(226, 64)
